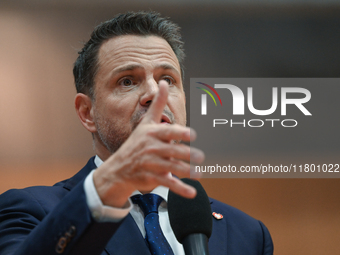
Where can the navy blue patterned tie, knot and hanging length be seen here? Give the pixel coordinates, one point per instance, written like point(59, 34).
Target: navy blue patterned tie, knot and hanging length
point(149, 204)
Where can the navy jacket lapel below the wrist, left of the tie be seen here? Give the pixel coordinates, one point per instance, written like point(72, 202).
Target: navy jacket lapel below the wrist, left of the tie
point(128, 240)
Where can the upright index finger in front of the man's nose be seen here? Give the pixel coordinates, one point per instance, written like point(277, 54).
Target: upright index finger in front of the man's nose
point(155, 111)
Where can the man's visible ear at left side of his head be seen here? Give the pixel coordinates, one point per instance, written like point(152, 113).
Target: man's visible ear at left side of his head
point(83, 105)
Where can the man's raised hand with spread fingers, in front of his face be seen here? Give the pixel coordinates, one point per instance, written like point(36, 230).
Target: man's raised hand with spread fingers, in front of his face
point(147, 157)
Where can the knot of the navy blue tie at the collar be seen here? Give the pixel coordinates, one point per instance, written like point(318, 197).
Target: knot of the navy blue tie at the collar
point(148, 203)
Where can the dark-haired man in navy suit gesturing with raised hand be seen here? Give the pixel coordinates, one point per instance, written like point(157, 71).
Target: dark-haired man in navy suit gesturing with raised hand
point(130, 97)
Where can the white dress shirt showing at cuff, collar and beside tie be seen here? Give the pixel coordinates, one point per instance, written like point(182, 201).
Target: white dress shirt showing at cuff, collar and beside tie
point(103, 213)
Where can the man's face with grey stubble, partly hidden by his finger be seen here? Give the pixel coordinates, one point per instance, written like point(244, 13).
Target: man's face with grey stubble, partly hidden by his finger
point(130, 68)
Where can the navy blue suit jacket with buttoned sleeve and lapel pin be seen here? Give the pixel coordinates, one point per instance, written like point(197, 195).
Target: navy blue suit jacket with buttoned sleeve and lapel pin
point(44, 220)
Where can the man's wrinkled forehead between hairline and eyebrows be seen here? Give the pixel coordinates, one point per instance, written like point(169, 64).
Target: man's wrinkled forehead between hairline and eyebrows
point(129, 49)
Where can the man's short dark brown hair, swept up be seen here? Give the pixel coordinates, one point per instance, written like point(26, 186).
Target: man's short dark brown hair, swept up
point(130, 23)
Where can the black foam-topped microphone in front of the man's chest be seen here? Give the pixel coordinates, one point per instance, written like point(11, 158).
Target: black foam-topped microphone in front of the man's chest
point(191, 219)
